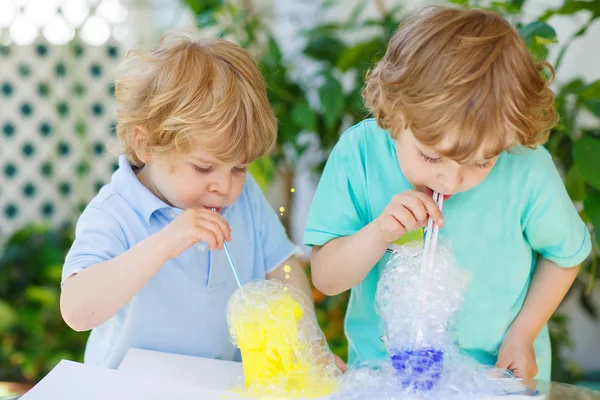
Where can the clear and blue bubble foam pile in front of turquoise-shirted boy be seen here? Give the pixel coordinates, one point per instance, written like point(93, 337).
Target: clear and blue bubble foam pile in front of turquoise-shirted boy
point(423, 361)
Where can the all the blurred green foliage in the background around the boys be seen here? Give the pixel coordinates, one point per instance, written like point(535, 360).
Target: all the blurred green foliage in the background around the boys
point(33, 337)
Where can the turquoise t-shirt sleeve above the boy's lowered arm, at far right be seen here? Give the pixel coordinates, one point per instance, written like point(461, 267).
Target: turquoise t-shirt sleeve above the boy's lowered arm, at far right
point(553, 226)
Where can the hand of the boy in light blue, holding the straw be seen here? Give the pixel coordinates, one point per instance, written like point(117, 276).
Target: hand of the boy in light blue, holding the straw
point(192, 226)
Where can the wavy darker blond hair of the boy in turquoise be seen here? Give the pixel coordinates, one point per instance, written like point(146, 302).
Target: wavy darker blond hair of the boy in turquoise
point(466, 73)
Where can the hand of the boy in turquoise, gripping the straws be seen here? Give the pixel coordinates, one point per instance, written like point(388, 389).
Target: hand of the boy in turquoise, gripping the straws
point(406, 212)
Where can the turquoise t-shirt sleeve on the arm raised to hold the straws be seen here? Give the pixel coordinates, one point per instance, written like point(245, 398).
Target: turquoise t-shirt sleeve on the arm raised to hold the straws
point(338, 205)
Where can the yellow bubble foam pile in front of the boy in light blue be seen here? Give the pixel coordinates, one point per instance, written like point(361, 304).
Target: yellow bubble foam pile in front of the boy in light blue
point(284, 352)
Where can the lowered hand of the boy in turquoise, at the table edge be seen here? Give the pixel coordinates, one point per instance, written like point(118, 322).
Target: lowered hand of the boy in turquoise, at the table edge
point(516, 354)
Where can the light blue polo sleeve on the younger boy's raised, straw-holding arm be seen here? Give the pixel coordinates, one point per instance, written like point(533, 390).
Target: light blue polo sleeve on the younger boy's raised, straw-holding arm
point(98, 238)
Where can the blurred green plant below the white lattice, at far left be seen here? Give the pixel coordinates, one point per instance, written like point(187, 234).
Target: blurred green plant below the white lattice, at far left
point(33, 336)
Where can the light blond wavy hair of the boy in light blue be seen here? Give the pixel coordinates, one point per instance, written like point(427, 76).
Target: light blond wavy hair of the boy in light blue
point(189, 89)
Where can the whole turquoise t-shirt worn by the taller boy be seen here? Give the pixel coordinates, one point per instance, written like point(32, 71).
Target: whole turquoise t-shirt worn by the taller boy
point(497, 229)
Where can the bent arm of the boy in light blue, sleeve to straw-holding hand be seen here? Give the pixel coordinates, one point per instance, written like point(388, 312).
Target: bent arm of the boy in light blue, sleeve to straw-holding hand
point(101, 275)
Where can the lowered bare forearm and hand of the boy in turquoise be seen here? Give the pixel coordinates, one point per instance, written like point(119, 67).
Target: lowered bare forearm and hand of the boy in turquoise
point(549, 286)
